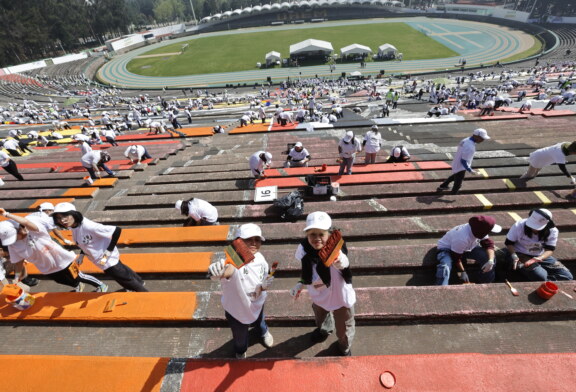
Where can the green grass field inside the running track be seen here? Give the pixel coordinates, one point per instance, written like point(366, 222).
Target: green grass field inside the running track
point(241, 52)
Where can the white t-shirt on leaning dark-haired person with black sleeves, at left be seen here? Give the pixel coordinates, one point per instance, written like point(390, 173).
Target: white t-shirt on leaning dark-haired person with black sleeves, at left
point(93, 238)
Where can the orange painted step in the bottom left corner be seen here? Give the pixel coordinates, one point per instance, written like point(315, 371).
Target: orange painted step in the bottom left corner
point(64, 373)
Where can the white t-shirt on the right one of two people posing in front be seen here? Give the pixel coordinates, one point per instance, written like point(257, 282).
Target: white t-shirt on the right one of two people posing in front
point(339, 294)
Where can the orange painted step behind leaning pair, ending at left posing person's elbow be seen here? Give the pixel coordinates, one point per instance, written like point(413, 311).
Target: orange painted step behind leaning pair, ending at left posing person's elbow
point(193, 262)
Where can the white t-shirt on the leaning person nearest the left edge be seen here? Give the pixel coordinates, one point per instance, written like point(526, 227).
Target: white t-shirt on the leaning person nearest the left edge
point(39, 248)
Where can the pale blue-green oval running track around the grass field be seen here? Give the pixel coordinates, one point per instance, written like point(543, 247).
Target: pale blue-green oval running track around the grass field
point(479, 43)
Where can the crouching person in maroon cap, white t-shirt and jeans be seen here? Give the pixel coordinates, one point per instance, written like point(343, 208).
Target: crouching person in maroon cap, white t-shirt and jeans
point(469, 240)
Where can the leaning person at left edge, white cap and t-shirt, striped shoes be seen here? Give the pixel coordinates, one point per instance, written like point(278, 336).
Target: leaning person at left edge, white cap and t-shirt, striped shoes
point(28, 239)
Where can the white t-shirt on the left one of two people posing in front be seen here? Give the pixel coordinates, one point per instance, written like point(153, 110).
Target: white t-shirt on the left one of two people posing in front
point(238, 297)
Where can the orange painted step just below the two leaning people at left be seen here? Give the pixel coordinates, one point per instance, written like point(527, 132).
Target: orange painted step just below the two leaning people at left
point(90, 307)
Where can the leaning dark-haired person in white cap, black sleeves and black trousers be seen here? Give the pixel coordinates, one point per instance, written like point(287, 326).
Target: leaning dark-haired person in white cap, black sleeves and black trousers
point(98, 243)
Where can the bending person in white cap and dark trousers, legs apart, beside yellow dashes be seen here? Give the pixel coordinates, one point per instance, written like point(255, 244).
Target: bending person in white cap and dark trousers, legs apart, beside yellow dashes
point(462, 162)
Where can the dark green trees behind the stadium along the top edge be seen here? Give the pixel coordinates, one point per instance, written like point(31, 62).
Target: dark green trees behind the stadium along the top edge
point(36, 29)
